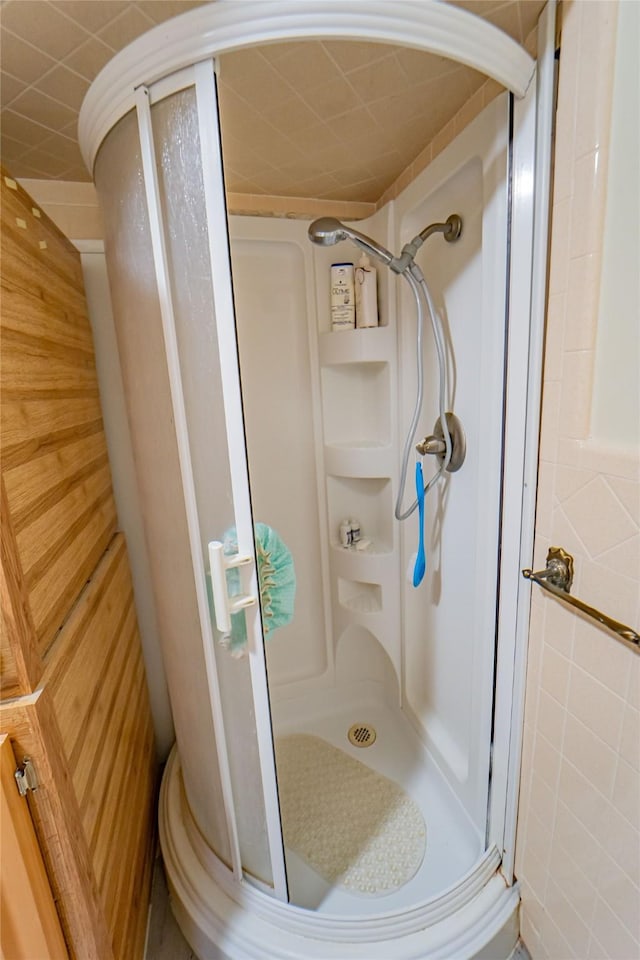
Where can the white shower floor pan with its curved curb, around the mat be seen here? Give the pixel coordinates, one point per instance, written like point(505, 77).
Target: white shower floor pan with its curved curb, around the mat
point(456, 906)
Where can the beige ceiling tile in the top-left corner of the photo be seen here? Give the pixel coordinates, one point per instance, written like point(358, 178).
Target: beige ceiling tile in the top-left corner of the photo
point(44, 27)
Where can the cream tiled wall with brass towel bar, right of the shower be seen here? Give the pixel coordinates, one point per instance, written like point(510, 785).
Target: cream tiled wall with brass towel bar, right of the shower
point(578, 847)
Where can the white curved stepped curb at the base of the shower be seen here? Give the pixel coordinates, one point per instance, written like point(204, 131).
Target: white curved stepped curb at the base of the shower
point(476, 919)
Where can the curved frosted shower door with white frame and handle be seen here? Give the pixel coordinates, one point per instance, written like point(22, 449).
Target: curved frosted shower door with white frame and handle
point(179, 359)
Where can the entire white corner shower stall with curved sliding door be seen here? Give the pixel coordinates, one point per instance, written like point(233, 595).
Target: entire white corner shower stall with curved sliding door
point(344, 785)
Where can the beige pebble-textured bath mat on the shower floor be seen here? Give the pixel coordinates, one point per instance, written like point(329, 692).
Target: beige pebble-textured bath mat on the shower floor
point(352, 825)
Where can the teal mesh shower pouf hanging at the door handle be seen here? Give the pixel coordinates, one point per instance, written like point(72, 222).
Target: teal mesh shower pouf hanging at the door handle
point(277, 580)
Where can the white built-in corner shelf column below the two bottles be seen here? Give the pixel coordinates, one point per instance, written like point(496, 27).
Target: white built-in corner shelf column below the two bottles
point(358, 390)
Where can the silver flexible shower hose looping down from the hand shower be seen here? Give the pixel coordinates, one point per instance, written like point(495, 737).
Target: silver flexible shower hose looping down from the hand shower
point(415, 278)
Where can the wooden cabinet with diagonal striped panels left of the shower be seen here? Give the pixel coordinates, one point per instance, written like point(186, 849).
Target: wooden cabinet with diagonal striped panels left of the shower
point(74, 696)
